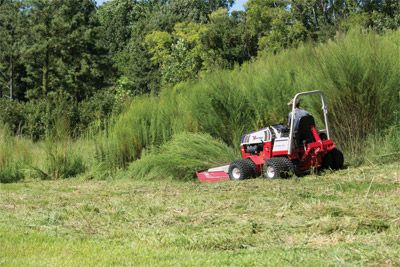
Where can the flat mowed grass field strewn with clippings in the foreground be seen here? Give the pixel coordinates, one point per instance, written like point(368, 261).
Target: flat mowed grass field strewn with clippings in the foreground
point(347, 218)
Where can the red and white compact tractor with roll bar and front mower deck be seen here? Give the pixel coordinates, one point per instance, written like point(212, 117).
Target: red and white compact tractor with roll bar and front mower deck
point(279, 151)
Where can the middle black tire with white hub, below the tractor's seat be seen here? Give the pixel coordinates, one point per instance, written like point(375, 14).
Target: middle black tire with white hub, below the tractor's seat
point(279, 167)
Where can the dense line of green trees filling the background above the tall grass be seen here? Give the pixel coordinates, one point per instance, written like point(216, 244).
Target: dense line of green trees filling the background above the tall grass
point(81, 54)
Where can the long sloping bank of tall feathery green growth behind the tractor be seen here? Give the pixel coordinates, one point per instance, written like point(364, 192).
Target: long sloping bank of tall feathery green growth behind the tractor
point(359, 73)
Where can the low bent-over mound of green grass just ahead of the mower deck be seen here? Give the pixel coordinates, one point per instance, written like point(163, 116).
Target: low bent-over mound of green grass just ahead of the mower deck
point(181, 157)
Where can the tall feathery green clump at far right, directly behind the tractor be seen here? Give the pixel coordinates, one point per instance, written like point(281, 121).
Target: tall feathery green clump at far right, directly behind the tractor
point(360, 75)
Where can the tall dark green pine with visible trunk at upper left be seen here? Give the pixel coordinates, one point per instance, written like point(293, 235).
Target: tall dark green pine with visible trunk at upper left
point(64, 52)
